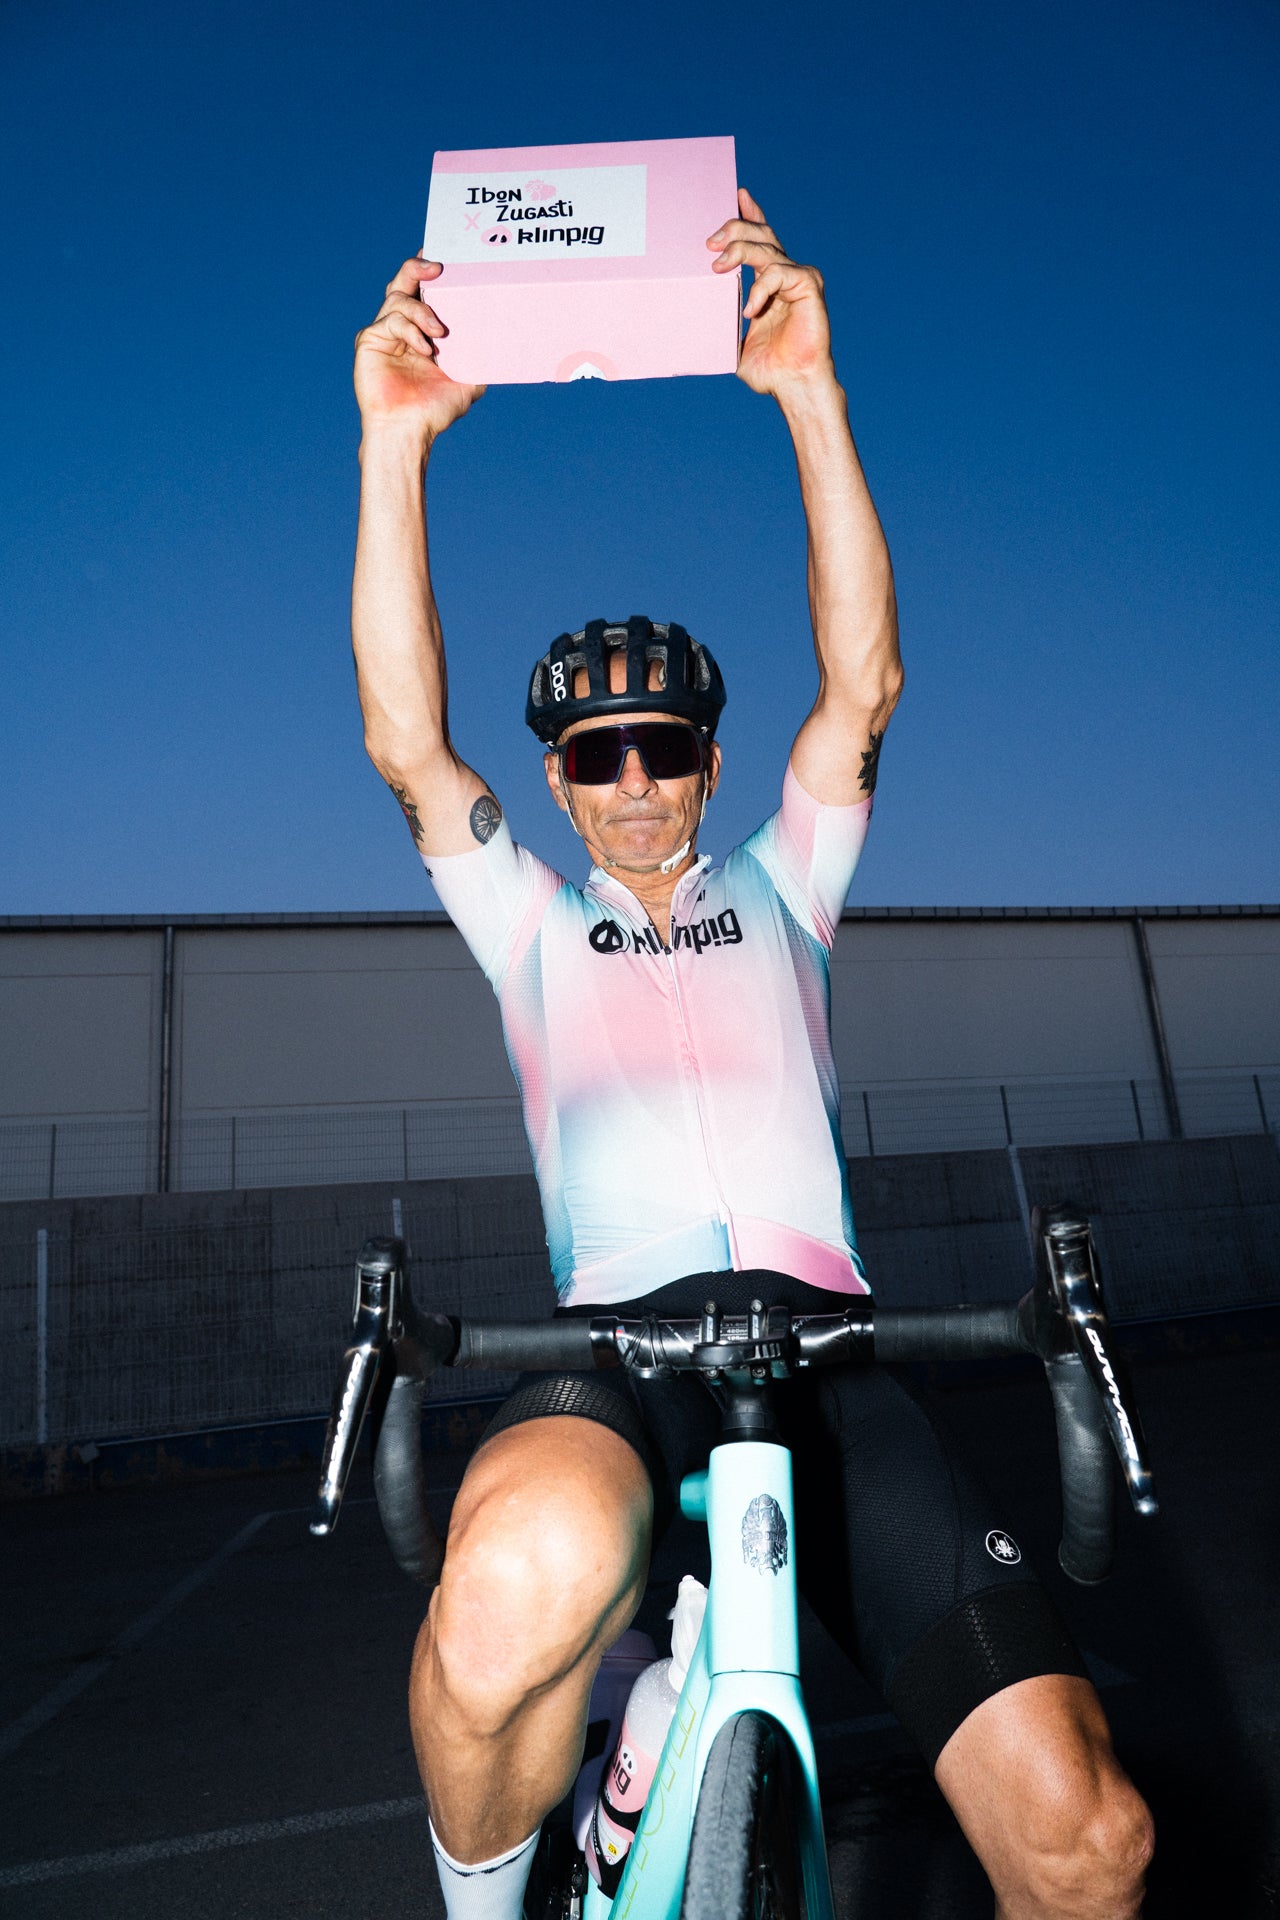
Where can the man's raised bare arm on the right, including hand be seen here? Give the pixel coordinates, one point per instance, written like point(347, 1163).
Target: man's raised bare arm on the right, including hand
point(788, 352)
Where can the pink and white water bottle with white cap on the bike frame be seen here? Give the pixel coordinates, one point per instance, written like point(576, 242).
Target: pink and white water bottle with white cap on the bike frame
point(634, 1762)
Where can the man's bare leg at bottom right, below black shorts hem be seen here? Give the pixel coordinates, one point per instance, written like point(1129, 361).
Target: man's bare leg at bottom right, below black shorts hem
point(1058, 1825)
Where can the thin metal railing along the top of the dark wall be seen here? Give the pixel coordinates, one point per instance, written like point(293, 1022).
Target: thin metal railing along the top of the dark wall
point(465, 1140)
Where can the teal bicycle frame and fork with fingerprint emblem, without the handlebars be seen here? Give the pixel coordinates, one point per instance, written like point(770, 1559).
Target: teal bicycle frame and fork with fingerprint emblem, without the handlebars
point(747, 1660)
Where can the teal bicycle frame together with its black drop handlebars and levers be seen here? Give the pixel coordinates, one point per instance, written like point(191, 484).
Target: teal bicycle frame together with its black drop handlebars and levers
point(747, 1658)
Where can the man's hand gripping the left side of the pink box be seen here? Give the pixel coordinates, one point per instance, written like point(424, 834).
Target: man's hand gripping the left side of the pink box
point(396, 372)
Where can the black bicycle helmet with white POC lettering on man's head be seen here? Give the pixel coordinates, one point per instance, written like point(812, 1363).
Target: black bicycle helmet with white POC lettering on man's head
point(692, 686)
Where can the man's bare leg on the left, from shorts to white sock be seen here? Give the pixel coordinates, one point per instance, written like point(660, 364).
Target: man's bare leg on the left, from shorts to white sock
point(544, 1568)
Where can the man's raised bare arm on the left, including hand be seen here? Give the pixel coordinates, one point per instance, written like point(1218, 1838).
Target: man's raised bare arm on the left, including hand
point(400, 654)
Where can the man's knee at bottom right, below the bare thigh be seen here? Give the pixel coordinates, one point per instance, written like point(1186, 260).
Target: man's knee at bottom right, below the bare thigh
point(1097, 1869)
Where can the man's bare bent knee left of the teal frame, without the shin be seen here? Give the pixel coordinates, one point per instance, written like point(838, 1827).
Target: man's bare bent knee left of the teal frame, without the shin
point(542, 1570)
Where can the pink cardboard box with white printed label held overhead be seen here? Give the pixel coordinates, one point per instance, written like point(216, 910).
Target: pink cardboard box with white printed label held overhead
point(584, 262)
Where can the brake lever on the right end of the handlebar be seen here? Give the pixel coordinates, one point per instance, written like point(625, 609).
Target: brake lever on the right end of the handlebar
point(1081, 1314)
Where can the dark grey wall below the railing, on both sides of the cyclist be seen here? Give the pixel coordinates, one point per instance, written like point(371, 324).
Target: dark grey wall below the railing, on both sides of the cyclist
point(118, 1322)
